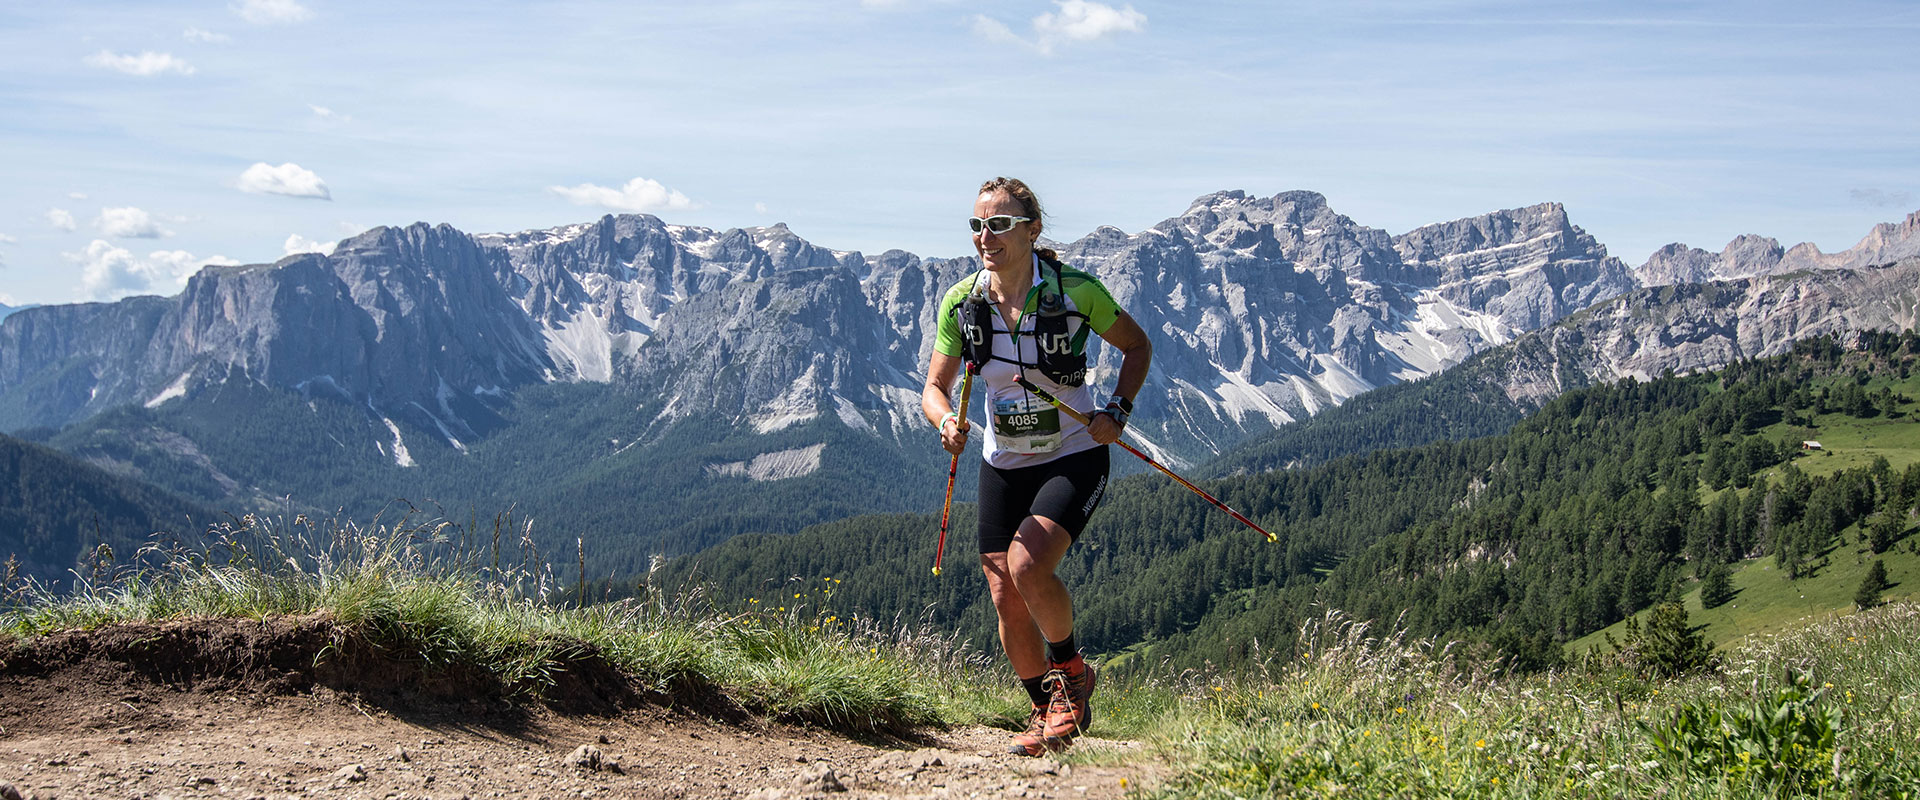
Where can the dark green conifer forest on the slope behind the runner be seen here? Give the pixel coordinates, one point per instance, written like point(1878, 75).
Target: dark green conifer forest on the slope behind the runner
point(1602, 504)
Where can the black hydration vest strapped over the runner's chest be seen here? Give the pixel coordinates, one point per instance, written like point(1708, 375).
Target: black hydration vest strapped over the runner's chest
point(1059, 333)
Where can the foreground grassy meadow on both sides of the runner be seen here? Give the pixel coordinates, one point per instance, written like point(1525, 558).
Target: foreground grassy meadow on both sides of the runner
point(1819, 709)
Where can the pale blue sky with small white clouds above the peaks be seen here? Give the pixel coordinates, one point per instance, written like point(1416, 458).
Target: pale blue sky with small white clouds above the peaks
point(145, 139)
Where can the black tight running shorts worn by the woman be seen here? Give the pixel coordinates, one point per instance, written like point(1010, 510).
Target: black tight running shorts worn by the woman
point(1065, 490)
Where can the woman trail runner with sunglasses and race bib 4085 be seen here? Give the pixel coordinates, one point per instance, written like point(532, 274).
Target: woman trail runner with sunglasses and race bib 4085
point(1026, 318)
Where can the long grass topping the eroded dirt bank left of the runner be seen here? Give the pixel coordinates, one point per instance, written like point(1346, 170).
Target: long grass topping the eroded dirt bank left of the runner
point(406, 590)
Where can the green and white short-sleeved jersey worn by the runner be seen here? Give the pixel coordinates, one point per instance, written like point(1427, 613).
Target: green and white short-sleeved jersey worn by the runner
point(1024, 429)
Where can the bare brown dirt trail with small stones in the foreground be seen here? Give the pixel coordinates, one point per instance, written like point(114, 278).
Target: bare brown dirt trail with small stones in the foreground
point(203, 711)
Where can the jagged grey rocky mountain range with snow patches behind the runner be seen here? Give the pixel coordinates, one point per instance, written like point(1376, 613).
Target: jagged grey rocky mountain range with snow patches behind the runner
point(1262, 312)
